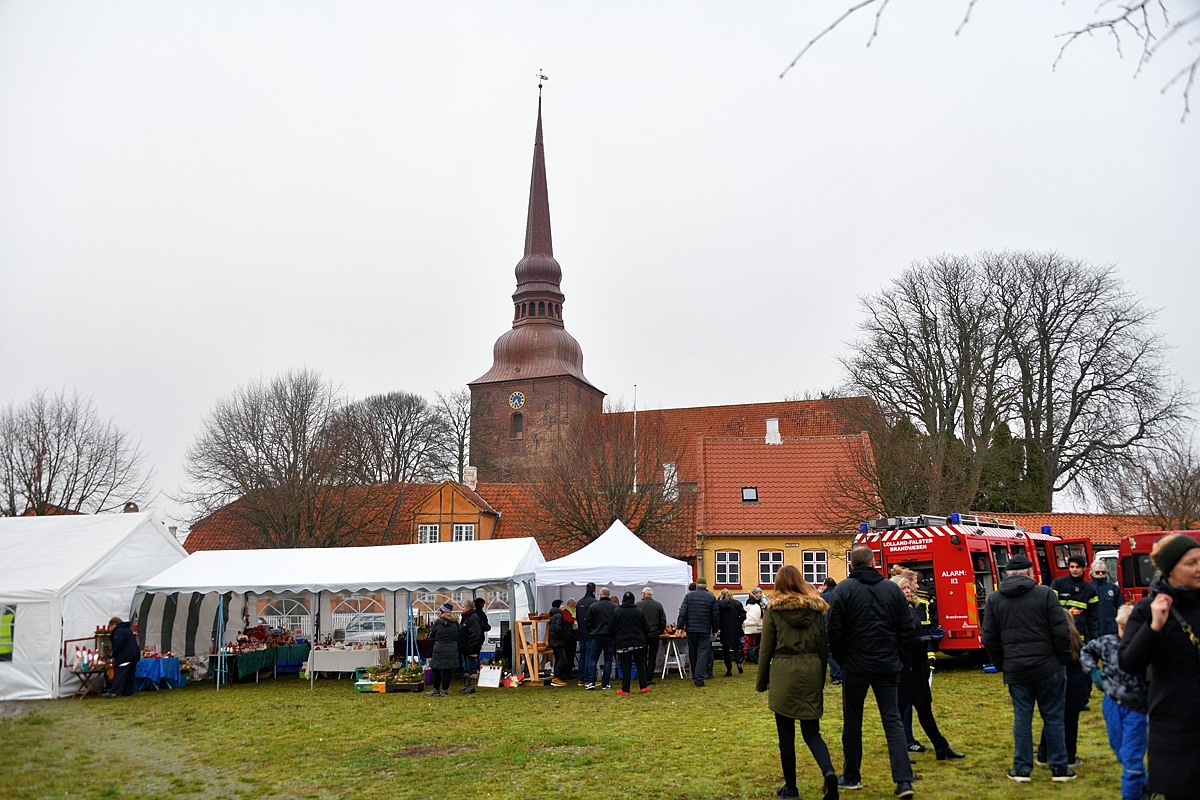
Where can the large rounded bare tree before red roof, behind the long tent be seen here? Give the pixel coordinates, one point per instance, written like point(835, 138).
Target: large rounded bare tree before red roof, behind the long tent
point(273, 455)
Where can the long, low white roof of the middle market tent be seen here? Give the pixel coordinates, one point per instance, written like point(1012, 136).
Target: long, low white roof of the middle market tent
point(449, 566)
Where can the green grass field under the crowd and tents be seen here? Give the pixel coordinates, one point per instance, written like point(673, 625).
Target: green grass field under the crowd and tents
point(277, 741)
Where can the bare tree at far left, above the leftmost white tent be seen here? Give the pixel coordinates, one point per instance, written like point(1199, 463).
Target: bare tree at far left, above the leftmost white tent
point(58, 454)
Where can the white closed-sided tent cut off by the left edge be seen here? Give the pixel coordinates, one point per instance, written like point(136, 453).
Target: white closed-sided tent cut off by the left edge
point(63, 576)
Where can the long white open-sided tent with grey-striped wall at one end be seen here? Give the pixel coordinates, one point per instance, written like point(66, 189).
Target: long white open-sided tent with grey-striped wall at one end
point(185, 606)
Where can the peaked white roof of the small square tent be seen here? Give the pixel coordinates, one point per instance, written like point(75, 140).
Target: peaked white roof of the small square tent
point(617, 557)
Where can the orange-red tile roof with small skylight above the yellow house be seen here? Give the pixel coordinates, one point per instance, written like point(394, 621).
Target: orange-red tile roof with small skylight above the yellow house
point(794, 479)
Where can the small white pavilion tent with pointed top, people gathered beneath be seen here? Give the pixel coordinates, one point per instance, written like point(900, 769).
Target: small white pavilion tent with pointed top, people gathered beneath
point(620, 561)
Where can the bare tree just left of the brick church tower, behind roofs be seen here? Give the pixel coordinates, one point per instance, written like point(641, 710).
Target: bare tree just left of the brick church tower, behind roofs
point(394, 438)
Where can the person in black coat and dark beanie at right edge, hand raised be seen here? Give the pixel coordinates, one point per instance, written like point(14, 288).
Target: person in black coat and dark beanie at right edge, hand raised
point(1162, 640)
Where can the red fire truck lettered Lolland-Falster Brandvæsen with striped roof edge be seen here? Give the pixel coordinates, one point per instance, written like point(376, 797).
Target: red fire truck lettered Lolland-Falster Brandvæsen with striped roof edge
point(962, 560)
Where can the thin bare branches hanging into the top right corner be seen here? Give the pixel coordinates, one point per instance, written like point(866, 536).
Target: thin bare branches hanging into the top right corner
point(1150, 25)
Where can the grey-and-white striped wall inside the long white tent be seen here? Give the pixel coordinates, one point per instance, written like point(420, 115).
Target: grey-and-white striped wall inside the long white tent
point(187, 623)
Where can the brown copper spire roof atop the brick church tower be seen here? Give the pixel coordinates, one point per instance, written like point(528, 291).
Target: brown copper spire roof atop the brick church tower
point(538, 346)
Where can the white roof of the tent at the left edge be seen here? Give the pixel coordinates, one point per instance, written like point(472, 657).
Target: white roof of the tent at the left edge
point(44, 556)
